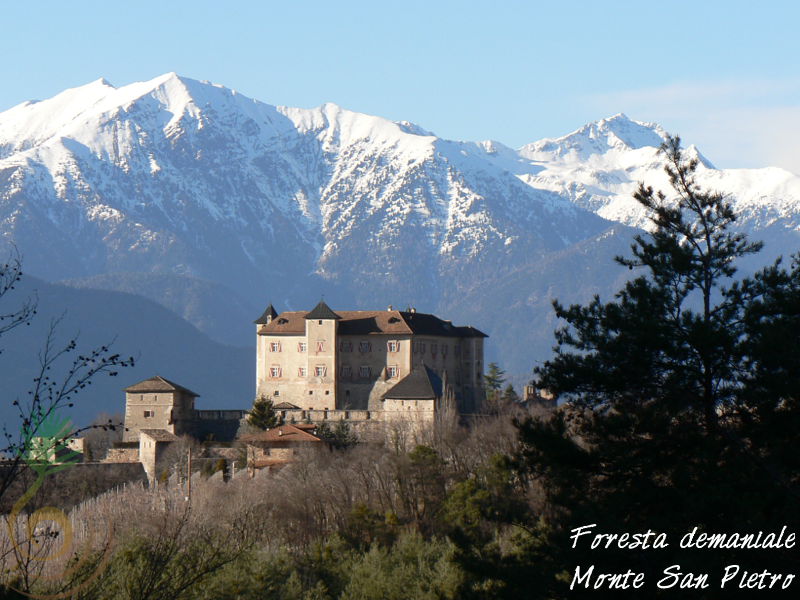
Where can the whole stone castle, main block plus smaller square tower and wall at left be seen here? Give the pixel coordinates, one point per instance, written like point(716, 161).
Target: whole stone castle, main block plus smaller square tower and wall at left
point(364, 367)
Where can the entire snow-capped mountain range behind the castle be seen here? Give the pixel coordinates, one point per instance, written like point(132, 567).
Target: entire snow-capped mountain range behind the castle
point(212, 204)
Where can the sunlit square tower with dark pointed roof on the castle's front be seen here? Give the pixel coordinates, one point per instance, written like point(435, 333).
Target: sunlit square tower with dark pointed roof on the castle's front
point(321, 331)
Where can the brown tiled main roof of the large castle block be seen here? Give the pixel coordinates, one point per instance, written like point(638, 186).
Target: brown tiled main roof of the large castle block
point(364, 322)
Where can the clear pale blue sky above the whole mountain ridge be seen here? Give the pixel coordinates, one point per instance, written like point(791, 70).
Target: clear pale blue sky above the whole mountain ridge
point(723, 75)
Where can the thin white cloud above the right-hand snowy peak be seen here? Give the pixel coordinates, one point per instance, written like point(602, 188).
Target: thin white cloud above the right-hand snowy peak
point(741, 123)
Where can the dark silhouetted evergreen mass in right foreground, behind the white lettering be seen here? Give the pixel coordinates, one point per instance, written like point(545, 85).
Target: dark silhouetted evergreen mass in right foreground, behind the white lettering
point(674, 391)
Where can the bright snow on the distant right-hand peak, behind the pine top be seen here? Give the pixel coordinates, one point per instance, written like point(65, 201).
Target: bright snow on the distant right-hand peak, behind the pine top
point(600, 165)
